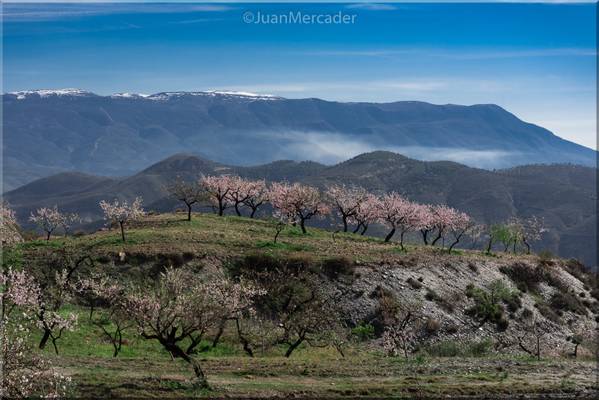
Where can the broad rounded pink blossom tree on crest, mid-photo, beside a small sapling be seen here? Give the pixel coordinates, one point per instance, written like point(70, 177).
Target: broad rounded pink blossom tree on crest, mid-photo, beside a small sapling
point(298, 202)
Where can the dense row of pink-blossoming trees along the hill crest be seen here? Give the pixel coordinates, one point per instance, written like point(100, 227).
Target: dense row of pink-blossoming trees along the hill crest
point(355, 207)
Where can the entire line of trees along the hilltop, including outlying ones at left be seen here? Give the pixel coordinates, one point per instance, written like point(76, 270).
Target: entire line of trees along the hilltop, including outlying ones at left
point(296, 203)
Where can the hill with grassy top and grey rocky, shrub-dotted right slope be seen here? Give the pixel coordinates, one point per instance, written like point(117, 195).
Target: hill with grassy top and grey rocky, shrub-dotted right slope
point(464, 297)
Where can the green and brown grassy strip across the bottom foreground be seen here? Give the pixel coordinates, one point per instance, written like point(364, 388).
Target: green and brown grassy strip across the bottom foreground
point(143, 369)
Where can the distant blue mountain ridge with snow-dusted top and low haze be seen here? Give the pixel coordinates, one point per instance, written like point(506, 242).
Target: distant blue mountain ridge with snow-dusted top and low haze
point(47, 131)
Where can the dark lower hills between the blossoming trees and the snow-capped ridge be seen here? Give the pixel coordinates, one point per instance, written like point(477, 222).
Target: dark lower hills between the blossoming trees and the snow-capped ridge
point(564, 195)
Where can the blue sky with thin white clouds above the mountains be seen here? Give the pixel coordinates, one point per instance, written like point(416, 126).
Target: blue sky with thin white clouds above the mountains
point(536, 60)
